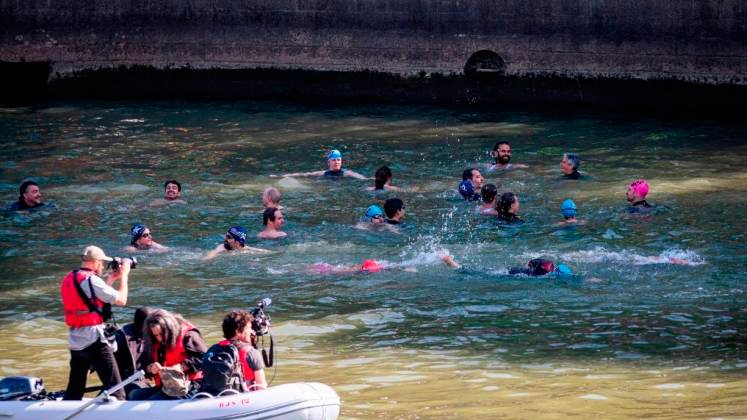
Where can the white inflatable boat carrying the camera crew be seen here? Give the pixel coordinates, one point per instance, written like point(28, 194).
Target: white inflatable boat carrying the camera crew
point(302, 401)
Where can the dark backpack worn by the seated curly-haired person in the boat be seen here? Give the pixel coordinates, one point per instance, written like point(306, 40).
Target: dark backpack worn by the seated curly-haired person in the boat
point(221, 369)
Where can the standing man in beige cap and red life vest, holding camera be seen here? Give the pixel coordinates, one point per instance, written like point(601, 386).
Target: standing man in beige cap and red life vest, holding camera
point(87, 301)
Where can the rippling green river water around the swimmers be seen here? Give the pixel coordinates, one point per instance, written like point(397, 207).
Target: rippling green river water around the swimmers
point(629, 335)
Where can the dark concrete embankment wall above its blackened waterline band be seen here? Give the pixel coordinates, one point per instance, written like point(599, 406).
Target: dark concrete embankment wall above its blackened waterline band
point(696, 42)
